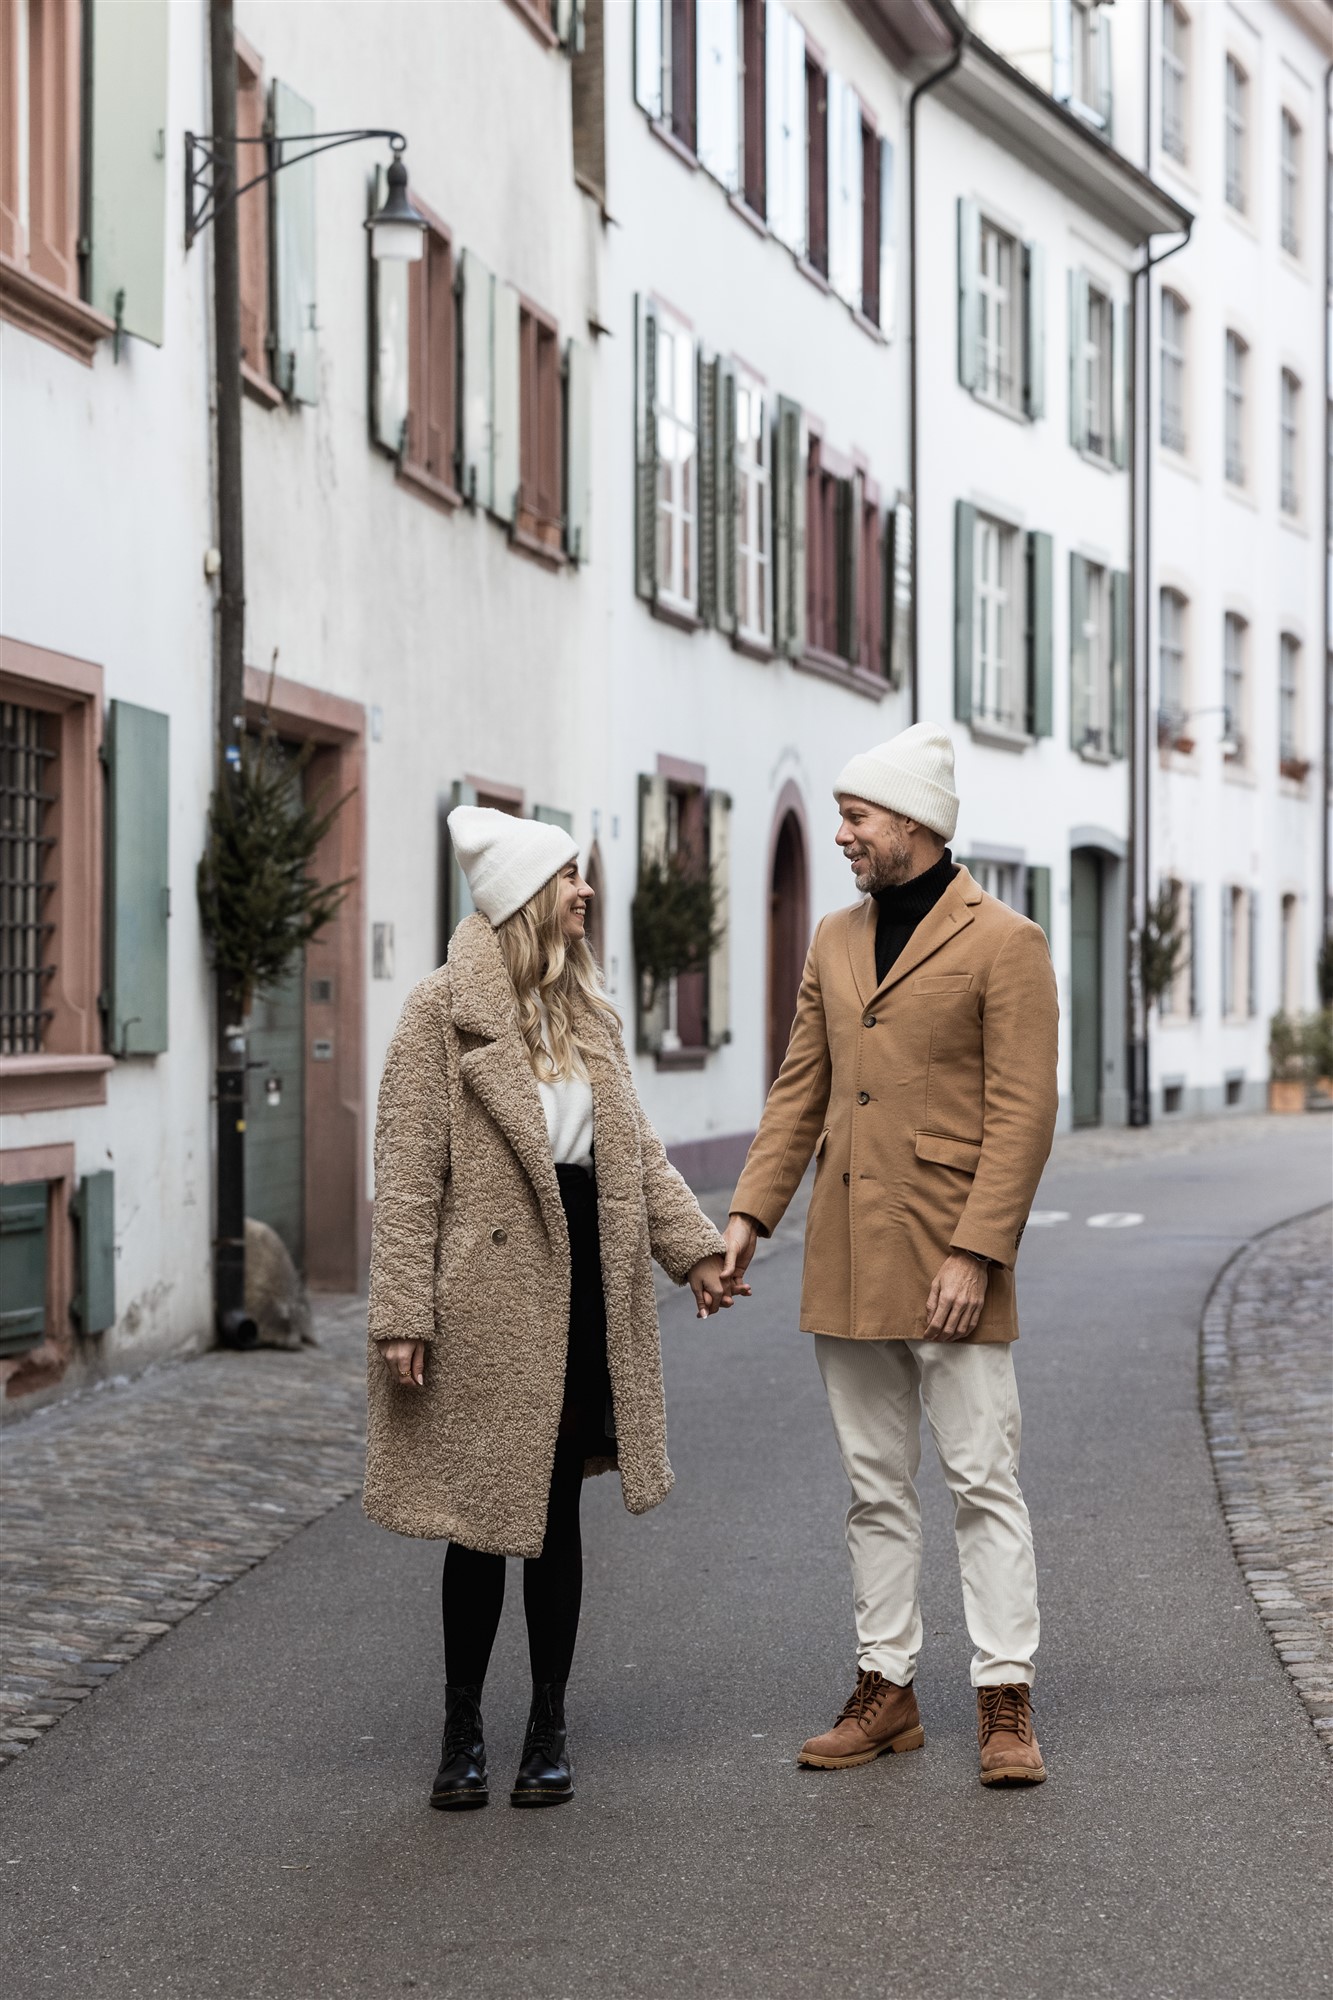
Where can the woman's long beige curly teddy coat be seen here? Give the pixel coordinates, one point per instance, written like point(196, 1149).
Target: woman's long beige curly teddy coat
point(469, 1253)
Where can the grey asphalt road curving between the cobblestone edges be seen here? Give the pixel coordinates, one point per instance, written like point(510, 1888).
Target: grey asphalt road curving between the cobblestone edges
point(243, 1809)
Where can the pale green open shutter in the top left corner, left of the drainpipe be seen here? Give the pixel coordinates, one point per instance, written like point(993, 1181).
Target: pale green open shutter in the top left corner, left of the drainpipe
point(129, 165)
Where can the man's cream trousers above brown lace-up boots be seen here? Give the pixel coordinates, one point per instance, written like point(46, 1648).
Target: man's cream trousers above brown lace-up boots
point(878, 1391)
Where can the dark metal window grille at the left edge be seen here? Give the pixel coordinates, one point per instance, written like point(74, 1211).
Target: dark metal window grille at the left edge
point(27, 757)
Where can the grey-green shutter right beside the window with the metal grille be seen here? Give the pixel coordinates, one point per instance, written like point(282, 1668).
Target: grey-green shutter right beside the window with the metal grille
point(137, 879)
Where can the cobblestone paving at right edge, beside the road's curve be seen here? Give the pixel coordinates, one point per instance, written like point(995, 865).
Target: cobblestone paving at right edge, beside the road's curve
point(1268, 1411)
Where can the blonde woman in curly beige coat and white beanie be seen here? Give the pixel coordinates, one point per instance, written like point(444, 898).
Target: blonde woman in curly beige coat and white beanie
point(519, 1195)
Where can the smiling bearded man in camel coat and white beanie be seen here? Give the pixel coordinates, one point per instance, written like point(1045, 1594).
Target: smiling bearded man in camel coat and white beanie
point(922, 1077)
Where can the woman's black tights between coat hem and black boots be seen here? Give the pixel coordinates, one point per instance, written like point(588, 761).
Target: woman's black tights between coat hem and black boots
point(473, 1591)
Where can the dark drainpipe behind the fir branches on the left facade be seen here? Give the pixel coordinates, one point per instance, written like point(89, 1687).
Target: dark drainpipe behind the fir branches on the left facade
point(229, 1269)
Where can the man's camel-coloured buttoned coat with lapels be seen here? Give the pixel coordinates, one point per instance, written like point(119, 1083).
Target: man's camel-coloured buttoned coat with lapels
point(930, 1105)
